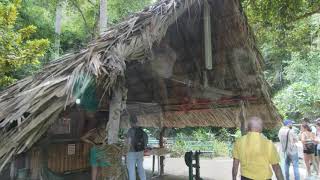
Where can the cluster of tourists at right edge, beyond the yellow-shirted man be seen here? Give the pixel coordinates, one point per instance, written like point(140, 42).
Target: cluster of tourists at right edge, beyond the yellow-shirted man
point(310, 139)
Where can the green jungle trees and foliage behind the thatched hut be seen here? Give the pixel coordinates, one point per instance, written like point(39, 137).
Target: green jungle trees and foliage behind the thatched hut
point(34, 32)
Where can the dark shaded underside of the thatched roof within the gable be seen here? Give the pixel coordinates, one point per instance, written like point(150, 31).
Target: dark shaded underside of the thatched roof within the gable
point(175, 73)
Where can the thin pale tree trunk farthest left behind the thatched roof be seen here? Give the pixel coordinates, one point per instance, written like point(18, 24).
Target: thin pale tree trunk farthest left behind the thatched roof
point(57, 29)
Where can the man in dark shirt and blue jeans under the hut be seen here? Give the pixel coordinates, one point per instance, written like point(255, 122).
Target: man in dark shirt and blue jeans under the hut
point(137, 142)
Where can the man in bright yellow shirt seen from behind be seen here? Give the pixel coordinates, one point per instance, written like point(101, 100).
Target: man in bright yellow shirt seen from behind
point(255, 154)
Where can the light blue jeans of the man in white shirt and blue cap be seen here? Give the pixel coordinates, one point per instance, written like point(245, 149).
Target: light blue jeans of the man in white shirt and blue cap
point(295, 162)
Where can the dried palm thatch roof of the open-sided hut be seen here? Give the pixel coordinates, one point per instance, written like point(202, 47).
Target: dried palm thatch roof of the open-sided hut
point(31, 105)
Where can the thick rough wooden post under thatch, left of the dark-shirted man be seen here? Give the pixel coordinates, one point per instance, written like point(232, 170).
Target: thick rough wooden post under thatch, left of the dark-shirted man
point(114, 116)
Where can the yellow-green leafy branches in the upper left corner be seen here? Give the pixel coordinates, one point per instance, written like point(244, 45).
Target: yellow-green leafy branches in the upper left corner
point(16, 47)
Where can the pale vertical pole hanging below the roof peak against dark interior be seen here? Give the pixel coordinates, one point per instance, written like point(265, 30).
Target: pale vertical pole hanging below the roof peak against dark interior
point(207, 35)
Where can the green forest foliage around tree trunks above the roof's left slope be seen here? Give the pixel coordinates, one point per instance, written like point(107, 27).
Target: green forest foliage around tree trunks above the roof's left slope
point(79, 19)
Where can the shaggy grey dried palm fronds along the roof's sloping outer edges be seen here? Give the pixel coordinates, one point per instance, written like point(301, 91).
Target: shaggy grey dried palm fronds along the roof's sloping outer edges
point(30, 106)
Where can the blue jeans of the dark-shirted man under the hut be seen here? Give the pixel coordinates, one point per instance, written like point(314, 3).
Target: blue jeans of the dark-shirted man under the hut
point(135, 159)
